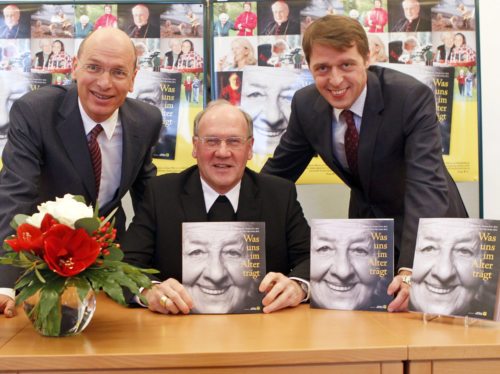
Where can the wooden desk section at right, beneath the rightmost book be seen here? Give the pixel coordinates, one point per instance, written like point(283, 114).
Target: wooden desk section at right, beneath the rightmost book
point(445, 345)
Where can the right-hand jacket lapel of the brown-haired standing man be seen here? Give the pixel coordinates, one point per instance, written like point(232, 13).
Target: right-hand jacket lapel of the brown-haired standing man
point(371, 122)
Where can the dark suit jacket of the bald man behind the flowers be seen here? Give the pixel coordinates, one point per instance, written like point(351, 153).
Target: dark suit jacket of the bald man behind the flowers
point(47, 156)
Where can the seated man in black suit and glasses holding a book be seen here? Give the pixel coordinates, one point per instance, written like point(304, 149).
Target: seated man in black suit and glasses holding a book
point(222, 145)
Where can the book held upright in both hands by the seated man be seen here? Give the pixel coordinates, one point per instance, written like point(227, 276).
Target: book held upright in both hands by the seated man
point(223, 264)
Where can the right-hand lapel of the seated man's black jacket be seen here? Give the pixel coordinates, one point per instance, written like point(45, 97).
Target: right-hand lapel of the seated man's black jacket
point(249, 202)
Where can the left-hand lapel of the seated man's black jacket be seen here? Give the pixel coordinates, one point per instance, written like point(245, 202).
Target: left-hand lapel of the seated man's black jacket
point(192, 200)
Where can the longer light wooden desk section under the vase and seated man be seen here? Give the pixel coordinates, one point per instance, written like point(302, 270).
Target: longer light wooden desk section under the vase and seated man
point(136, 340)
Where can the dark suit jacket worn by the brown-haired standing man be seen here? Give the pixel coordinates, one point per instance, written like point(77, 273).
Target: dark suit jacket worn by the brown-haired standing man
point(402, 173)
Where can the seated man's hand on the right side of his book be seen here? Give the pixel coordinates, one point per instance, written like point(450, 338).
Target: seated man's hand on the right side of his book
point(281, 292)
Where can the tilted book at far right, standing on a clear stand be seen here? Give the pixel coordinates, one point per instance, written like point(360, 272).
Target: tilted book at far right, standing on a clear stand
point(455, 270)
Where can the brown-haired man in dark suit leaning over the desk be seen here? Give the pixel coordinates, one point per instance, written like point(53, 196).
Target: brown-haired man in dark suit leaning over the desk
point(377, 130)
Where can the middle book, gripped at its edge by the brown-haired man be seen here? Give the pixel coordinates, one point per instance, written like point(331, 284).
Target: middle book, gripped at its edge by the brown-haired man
point(352, 263)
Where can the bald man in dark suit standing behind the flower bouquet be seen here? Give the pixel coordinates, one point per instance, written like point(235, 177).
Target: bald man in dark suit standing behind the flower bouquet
point(47, 153)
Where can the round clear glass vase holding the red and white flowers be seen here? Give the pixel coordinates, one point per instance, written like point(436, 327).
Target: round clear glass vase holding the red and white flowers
point(71, 317)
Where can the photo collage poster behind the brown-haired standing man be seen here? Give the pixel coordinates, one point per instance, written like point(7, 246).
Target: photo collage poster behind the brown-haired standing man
point(258, 64)
